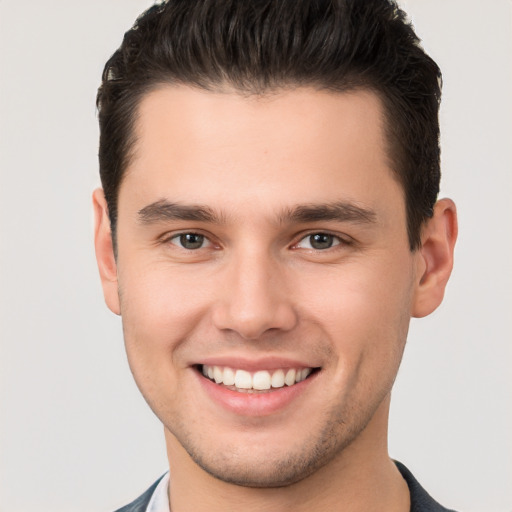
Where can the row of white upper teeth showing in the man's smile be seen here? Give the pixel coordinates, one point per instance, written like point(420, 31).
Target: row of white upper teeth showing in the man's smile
point(250, 382)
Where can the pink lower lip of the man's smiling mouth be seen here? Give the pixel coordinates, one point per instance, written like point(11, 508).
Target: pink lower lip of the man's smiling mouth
point(255, 404)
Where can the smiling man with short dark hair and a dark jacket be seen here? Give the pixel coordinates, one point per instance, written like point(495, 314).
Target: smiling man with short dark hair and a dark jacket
point(267, 227)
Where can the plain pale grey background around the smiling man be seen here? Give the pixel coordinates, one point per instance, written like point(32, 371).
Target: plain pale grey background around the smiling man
point(75, 435)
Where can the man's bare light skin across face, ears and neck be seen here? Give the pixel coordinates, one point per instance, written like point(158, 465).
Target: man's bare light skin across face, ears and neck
point(258, 289)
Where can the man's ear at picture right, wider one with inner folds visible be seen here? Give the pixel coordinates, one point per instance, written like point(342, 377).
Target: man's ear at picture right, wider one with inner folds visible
point(435, 258)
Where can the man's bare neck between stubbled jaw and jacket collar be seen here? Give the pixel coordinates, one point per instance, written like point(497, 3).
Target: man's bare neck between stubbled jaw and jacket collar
point(360, 478)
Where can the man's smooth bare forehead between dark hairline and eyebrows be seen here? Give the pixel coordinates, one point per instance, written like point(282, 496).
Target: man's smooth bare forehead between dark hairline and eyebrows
point(292, 146)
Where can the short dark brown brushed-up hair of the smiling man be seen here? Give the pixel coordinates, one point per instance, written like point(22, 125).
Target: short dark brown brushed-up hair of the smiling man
point(259, 47)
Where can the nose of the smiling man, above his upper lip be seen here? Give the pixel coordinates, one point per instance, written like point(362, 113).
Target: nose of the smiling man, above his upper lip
point(254, 298)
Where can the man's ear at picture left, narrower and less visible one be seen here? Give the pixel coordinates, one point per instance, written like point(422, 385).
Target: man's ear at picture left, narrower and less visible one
point(105, 251)
